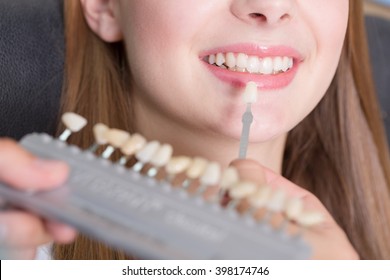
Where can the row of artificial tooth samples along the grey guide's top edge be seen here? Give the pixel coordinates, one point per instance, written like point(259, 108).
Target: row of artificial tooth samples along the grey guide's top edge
point(197, 170)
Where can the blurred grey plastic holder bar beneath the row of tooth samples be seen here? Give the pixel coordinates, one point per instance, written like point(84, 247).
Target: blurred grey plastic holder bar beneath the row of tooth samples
point(237, 229)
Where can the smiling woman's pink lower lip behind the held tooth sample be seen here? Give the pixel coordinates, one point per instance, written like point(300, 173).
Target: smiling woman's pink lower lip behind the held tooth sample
point(264, 82)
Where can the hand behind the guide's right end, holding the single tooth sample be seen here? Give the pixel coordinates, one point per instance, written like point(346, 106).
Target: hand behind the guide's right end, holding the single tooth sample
point(327, 240)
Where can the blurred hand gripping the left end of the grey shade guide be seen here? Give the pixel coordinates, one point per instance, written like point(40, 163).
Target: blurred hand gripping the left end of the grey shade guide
point(22, 232)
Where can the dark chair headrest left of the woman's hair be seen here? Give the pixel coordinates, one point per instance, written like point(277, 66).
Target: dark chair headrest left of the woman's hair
point(31, 65)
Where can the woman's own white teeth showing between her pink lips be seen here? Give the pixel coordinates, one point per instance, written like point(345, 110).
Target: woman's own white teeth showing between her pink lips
point(252, 64)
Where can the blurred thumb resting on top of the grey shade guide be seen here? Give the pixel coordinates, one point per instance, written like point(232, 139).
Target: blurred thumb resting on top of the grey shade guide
point(23, 170)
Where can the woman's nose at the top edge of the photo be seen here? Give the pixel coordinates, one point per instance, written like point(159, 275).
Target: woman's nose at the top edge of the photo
point(262, 12)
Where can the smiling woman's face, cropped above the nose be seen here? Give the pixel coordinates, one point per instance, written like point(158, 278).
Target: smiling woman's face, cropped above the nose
point(290, 48)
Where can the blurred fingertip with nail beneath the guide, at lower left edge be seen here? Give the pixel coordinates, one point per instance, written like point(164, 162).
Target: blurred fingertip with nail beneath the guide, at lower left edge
point(22, 230)
